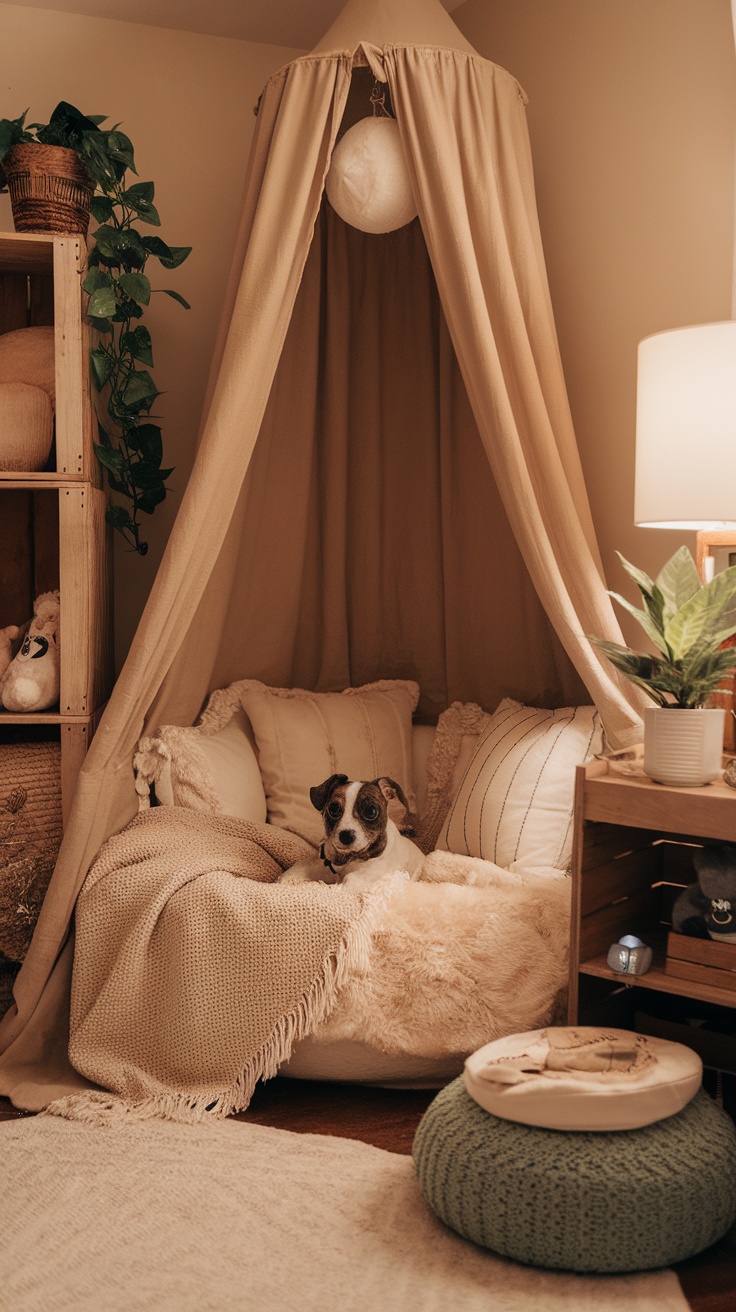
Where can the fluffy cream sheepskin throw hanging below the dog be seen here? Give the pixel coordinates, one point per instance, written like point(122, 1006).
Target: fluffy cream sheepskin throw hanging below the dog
point(461, 958)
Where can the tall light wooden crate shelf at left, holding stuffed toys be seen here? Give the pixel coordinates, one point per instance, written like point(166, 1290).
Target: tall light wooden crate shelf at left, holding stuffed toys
point(53, 532)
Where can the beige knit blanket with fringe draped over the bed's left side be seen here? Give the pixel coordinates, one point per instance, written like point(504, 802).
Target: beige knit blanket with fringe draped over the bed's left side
point(195, 972)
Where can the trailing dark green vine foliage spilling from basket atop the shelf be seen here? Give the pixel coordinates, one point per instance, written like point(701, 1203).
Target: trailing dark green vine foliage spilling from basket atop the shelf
point(120, 291)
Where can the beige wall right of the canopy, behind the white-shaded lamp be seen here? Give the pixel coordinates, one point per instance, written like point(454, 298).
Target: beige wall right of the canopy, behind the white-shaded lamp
point(633, 116)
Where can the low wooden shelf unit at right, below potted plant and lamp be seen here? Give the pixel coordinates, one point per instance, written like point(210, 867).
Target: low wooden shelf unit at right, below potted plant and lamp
point(633, 853)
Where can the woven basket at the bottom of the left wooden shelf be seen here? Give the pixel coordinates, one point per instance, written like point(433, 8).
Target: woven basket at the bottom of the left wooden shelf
point(31, 834)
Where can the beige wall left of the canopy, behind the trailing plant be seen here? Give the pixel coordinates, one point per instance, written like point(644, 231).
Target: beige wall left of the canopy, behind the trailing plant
point(187, 103)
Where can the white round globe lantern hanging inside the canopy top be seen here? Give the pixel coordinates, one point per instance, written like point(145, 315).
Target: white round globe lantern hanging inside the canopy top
point(368, 183)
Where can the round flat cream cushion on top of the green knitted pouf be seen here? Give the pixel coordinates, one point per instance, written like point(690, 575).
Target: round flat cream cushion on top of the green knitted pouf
point(583, 1078)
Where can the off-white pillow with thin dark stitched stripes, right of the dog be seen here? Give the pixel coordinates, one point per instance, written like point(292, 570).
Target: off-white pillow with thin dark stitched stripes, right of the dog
point(515, 802)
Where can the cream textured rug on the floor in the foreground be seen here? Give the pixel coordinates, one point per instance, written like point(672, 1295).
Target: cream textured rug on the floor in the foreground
point(169, 1218)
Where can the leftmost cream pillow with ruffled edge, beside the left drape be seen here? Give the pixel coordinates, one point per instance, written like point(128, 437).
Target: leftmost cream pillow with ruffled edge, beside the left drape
point(212, 767)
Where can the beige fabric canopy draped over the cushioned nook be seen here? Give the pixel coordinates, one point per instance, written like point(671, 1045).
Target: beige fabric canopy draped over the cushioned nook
point(304, 565)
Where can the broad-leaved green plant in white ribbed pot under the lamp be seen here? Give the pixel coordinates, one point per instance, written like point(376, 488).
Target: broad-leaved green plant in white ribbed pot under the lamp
point(687, 621)
